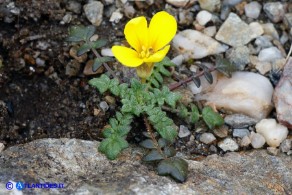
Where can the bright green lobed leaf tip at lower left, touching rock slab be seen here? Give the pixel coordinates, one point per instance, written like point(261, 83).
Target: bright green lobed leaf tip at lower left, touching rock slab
point(112, 146)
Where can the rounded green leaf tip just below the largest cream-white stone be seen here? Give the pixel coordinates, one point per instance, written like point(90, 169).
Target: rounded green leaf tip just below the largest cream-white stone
point(211, 118)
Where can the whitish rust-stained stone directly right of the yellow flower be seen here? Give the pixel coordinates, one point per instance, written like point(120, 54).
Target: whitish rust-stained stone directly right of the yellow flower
point(196, 45)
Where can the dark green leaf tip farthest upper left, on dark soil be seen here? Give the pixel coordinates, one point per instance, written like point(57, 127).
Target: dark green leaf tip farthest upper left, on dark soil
point(80, 33)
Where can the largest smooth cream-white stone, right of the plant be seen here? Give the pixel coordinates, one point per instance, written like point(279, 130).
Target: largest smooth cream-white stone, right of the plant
point(246, 93)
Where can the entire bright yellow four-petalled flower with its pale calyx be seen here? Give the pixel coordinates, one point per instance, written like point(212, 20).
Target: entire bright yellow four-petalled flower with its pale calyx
point(150, 44)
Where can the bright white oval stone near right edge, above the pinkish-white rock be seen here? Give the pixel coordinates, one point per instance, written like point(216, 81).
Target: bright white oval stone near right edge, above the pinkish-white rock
point(270, 54)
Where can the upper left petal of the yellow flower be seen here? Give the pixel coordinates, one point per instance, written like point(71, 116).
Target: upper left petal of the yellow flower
point(136, 33)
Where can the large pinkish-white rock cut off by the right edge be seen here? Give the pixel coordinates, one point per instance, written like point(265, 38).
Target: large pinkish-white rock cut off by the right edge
point(283, 96)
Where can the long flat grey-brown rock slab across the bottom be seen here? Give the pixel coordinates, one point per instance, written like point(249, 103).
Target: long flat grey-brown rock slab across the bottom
point(83, 170)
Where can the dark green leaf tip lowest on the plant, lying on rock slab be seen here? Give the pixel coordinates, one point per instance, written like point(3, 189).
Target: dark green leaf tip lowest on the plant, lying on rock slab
point(175, 167)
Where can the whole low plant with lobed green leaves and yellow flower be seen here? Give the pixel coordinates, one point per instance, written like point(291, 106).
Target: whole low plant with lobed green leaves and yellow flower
point(149, 98)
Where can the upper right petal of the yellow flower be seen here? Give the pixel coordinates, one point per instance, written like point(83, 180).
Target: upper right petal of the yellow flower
point(162, 29)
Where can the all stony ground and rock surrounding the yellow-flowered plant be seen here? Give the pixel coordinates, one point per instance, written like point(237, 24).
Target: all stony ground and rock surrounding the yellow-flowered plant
point(44, 93)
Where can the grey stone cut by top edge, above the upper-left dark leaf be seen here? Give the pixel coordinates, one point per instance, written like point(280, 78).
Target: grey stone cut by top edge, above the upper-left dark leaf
point(94, 12)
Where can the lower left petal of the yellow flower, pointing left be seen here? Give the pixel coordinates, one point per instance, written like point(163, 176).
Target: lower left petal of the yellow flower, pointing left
point(128, 57)
